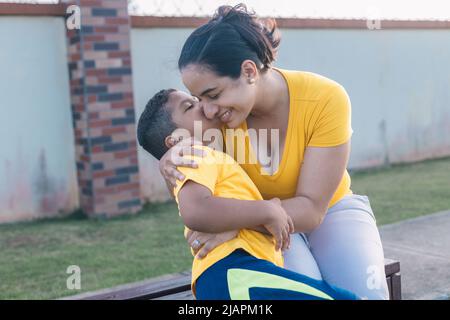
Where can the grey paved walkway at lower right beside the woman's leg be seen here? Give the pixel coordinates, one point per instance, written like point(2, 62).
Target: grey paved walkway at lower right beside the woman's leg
point(422, 245)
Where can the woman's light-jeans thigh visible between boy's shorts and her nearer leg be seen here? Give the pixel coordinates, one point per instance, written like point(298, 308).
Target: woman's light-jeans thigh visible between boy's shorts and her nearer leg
point(299, 258)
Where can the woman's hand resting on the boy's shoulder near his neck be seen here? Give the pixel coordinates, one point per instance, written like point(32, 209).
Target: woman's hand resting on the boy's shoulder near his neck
point(173, 158)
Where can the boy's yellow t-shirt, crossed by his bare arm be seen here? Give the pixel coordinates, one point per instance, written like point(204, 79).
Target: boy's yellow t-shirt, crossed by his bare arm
point(226, 179)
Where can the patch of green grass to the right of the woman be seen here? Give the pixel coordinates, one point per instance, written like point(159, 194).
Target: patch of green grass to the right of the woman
point(405, 191)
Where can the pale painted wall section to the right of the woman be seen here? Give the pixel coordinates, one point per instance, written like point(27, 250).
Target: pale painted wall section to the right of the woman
point(398, 82)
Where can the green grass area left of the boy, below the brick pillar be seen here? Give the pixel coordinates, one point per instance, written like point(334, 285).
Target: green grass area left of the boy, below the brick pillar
point(34, 256)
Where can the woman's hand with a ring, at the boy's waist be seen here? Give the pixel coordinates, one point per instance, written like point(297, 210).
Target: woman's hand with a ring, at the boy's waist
point(203, 243)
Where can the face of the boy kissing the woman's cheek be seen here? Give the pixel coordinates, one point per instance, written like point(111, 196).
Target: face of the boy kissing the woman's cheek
point(185, 111)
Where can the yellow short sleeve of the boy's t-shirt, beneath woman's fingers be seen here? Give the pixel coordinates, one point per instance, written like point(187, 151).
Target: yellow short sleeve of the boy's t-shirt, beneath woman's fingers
point(206, 174)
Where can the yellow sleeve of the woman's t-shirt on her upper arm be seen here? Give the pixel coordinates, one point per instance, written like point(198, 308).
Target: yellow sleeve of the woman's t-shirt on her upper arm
point(333, 124)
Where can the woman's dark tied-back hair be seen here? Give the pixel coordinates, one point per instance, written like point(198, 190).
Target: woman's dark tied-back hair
point(233, 35)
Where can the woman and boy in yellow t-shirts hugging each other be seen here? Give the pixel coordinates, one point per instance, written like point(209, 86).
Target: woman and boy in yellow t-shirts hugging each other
point(287, 228)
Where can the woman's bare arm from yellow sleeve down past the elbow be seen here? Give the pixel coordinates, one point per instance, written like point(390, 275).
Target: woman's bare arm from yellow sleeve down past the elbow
point(320, 175)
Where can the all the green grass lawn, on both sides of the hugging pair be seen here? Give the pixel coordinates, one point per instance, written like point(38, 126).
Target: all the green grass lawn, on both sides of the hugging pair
point(34, 256)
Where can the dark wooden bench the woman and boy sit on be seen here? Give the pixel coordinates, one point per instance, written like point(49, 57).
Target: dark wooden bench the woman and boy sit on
point(178, 287)
